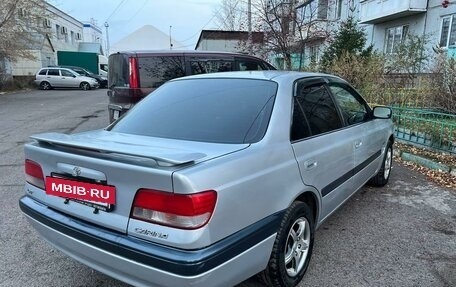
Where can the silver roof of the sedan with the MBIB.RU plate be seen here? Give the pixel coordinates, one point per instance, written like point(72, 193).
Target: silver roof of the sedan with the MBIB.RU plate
point(275, 75)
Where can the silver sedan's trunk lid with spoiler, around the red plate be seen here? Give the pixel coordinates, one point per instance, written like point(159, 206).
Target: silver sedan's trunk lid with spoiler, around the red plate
point(124, 162)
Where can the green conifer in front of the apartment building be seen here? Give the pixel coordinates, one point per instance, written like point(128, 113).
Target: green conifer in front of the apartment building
point(349, 39)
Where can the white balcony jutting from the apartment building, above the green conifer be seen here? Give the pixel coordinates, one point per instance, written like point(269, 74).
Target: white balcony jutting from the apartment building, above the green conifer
point(378, 11)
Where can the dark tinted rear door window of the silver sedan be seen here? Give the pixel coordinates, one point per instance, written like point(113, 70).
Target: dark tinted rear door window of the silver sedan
point(314, 111)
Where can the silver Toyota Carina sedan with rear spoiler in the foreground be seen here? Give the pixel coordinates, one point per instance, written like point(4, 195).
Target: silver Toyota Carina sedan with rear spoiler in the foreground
point(210, 179)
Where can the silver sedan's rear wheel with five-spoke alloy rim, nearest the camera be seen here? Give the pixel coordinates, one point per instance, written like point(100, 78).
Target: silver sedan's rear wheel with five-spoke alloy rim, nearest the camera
point(292, 248)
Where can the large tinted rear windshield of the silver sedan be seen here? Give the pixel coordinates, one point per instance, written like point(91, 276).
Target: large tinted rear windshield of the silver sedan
point(207, 110)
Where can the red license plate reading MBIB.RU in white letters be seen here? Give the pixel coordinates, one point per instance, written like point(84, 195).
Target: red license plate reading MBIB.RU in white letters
point(98, 194)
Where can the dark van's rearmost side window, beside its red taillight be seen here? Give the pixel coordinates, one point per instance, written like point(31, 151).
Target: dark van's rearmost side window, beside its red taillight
point(155, 71)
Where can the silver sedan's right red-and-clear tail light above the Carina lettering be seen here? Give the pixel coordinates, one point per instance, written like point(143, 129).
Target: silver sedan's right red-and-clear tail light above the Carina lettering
point(185, 211)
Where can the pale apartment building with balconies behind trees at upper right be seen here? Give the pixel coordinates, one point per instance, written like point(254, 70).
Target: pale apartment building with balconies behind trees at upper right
point(386, 23)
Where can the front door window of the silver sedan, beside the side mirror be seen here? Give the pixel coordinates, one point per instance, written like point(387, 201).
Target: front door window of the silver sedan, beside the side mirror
point(354, 110)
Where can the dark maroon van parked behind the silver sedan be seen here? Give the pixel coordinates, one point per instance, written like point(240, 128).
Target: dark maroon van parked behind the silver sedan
point(133, 75)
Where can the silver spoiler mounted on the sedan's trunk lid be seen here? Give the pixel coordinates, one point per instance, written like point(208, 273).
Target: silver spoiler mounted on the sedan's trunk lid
point(163, 157)
